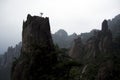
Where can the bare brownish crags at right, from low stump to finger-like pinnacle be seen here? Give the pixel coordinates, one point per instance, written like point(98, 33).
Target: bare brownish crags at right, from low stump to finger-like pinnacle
point(100, 42)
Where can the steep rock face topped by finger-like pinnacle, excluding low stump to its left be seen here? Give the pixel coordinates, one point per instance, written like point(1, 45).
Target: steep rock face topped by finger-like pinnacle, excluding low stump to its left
point(101, 42)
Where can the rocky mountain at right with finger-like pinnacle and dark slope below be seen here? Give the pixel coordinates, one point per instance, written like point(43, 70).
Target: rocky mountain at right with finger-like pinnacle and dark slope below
point(98, 55)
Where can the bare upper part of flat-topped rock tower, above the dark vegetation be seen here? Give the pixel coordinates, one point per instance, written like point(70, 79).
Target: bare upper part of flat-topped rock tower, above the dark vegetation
point(36, 30)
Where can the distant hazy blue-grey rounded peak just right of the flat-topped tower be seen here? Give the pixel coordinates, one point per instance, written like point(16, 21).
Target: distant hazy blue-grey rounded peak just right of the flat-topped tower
point(62, 39)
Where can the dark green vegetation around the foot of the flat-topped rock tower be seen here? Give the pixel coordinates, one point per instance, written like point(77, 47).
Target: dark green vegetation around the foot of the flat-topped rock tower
point(56, 65)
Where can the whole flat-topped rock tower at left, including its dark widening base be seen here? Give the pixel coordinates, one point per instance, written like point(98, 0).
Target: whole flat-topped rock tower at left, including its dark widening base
point(37, 46)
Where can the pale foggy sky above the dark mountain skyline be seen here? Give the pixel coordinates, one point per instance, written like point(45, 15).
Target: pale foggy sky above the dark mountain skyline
point(72, 15)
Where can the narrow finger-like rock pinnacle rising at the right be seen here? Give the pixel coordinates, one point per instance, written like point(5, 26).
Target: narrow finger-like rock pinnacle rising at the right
point(105, 43)
